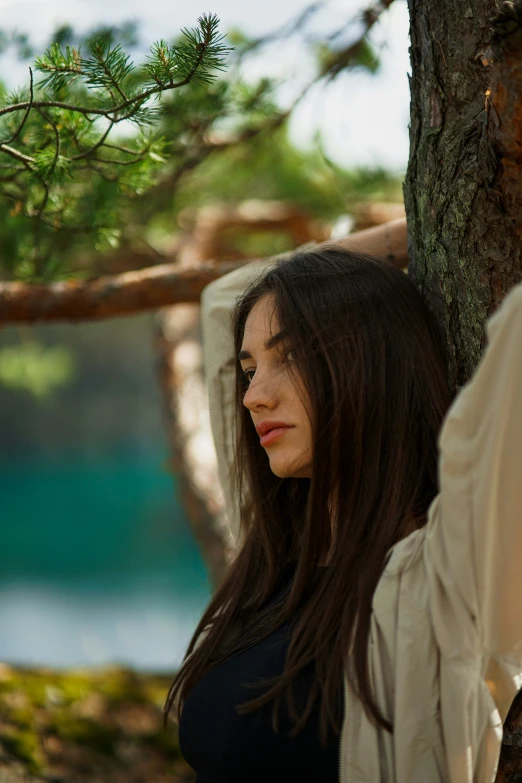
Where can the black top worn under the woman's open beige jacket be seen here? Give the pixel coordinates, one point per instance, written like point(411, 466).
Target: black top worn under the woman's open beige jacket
point(224, 747)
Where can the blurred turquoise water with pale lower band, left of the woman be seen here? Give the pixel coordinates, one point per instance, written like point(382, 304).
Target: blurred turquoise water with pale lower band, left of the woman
point(97, 563)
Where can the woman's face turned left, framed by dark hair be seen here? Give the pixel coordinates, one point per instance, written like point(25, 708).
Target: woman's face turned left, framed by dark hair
point(275, 394)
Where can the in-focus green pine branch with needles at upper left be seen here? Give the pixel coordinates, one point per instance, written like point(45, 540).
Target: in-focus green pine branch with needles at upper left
point(107, 89)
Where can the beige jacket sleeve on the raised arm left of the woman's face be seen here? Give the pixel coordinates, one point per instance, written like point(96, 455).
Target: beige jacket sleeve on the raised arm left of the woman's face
point(217, 301)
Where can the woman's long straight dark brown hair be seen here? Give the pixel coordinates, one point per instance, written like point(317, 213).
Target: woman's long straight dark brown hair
point(373, 362)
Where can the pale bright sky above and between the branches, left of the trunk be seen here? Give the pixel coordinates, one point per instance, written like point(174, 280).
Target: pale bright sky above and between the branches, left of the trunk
point(363, 118)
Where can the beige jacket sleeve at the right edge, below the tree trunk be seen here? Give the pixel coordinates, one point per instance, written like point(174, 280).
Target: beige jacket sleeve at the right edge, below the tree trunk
point(473, 544)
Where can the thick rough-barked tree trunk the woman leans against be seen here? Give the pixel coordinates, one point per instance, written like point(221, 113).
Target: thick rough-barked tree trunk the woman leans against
point(463, 189)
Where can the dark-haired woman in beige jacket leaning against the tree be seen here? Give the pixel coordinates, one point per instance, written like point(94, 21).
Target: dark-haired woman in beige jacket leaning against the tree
point(370, 627)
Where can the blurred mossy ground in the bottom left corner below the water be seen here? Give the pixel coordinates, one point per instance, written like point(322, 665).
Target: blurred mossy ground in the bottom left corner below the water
point(86, 727)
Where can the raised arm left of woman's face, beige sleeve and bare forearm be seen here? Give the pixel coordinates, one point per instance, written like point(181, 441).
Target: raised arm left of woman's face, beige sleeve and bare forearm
point(385, 241)
